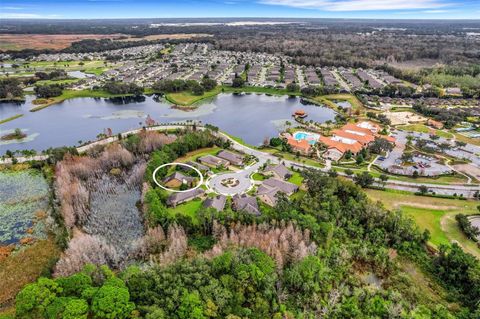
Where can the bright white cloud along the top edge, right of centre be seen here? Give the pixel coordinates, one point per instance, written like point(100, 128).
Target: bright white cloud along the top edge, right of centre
point(358, 5)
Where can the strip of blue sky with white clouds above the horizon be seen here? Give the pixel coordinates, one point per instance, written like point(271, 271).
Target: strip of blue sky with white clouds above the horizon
point(382, 9)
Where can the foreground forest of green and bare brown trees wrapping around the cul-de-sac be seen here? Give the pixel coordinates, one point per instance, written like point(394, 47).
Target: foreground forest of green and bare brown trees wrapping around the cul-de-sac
point(331, 253)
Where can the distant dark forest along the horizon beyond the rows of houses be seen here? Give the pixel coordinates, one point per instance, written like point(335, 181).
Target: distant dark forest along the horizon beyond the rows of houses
point(321, 42)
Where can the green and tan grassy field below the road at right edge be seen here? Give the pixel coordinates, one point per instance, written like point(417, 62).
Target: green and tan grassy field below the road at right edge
point(435, 214)
